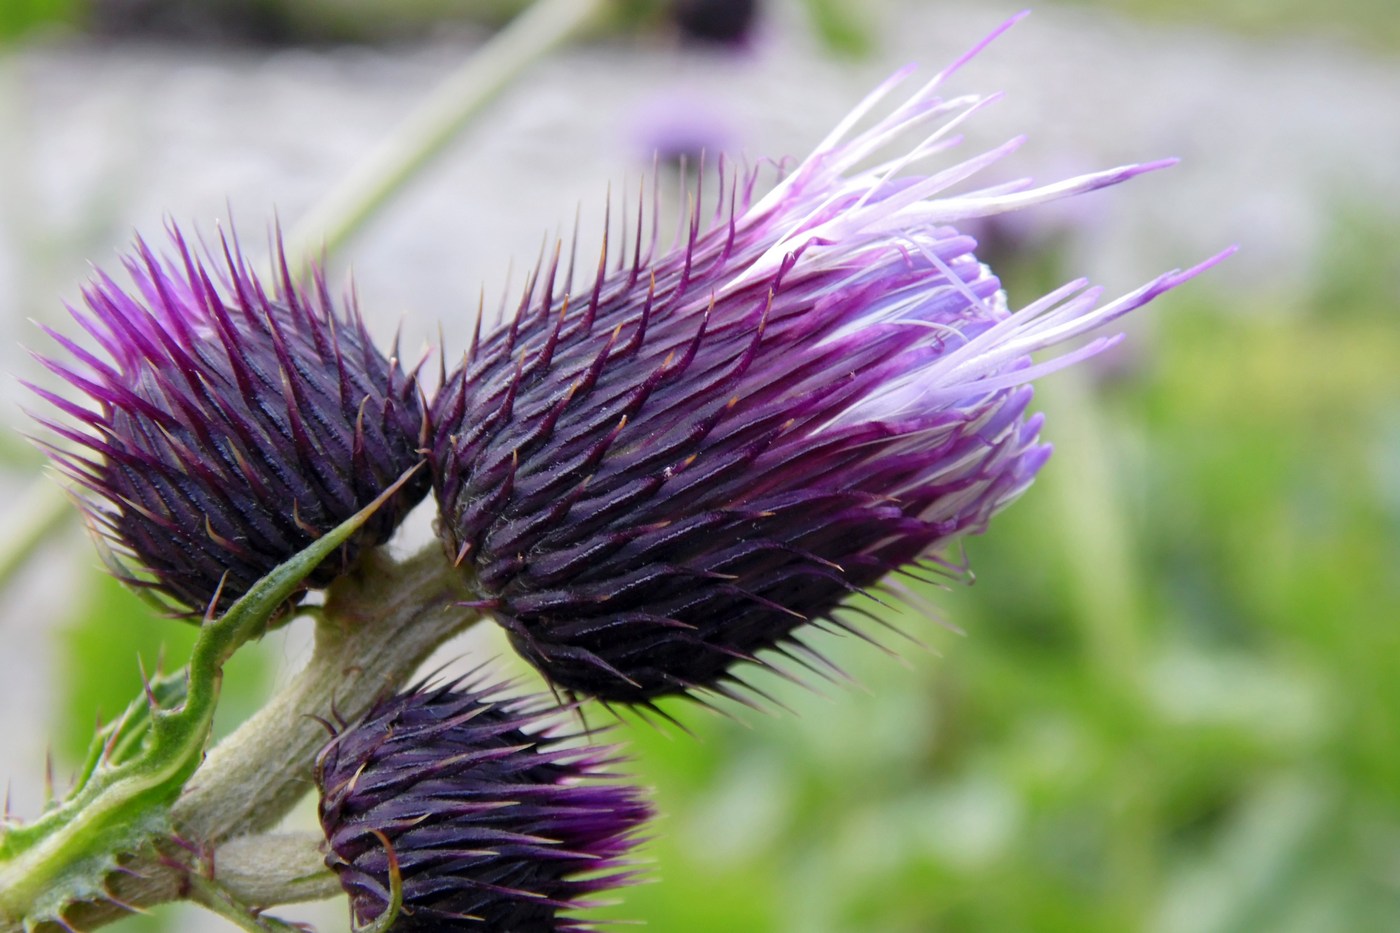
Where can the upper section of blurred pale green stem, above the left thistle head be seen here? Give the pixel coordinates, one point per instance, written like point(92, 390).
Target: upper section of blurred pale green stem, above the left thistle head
point(436, 123)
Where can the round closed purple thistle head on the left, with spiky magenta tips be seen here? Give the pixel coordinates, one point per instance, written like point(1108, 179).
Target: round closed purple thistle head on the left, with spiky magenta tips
point(230, 427)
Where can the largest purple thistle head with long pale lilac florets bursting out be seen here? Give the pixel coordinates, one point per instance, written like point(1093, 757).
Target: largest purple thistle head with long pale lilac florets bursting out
point(706, 450)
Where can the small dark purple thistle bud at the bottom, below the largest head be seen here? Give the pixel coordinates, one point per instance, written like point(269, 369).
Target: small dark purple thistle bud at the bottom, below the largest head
point(495, 820)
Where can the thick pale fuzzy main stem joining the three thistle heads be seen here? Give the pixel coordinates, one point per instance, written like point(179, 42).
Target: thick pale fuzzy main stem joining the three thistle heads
point(380, 624)
